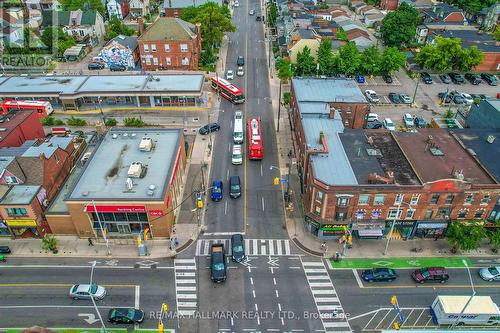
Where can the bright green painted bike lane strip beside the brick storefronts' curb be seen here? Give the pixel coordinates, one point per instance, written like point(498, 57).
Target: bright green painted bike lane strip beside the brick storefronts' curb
point(449, 262)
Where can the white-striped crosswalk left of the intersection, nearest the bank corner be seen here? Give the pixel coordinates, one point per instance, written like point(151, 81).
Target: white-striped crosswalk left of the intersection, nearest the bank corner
point(185, 286)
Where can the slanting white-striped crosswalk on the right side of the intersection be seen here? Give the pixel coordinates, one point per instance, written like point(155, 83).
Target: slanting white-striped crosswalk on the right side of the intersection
point(327, 302)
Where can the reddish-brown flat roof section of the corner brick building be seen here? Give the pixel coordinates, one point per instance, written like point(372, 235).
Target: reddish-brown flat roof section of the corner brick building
point(438, 158)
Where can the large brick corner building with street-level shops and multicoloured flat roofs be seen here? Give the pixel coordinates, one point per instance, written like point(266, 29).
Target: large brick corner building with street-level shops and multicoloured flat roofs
point(364, 180)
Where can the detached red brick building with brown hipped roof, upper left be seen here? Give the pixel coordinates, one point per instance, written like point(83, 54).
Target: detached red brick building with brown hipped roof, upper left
point(170, 43)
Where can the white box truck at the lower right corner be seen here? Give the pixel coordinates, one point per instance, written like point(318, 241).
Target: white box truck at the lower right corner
point(481, 310)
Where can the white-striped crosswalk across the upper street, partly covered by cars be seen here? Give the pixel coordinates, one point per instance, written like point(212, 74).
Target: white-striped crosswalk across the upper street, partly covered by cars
point(253, 247)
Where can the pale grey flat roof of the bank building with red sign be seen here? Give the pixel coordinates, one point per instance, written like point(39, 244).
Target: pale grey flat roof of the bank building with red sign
point(105, 174)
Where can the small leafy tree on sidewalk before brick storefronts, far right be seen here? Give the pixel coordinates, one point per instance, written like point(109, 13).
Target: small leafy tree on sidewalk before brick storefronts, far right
point(465, 236)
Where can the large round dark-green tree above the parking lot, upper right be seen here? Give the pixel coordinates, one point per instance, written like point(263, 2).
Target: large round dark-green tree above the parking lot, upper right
point(398, 27)
